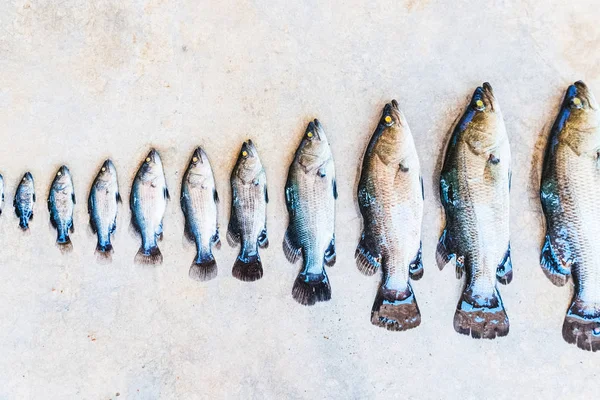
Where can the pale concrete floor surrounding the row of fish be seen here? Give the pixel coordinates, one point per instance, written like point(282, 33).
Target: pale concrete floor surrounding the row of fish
point(84, 80)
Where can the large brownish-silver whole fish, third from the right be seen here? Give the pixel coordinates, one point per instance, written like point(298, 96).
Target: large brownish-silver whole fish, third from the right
point(390, 198)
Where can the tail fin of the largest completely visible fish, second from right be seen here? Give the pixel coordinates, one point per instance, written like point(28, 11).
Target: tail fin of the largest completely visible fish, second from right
point(481, 316)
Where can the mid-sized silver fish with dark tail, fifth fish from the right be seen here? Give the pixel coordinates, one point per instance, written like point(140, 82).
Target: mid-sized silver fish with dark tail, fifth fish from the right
point(248, 220)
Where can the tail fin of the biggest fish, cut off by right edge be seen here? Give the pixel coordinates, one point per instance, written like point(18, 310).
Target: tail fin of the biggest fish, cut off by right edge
point(582, 325)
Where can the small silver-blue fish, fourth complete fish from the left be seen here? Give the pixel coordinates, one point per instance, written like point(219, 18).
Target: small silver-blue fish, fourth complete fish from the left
point(148, 202)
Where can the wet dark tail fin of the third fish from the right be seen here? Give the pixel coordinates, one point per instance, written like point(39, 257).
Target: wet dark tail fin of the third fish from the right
point(395, 311)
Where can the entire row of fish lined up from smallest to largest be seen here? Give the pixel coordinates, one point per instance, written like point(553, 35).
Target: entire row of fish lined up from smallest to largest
point(474, 189)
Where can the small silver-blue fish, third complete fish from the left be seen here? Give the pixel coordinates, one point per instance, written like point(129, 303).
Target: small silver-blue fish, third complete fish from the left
point(103, 205)
